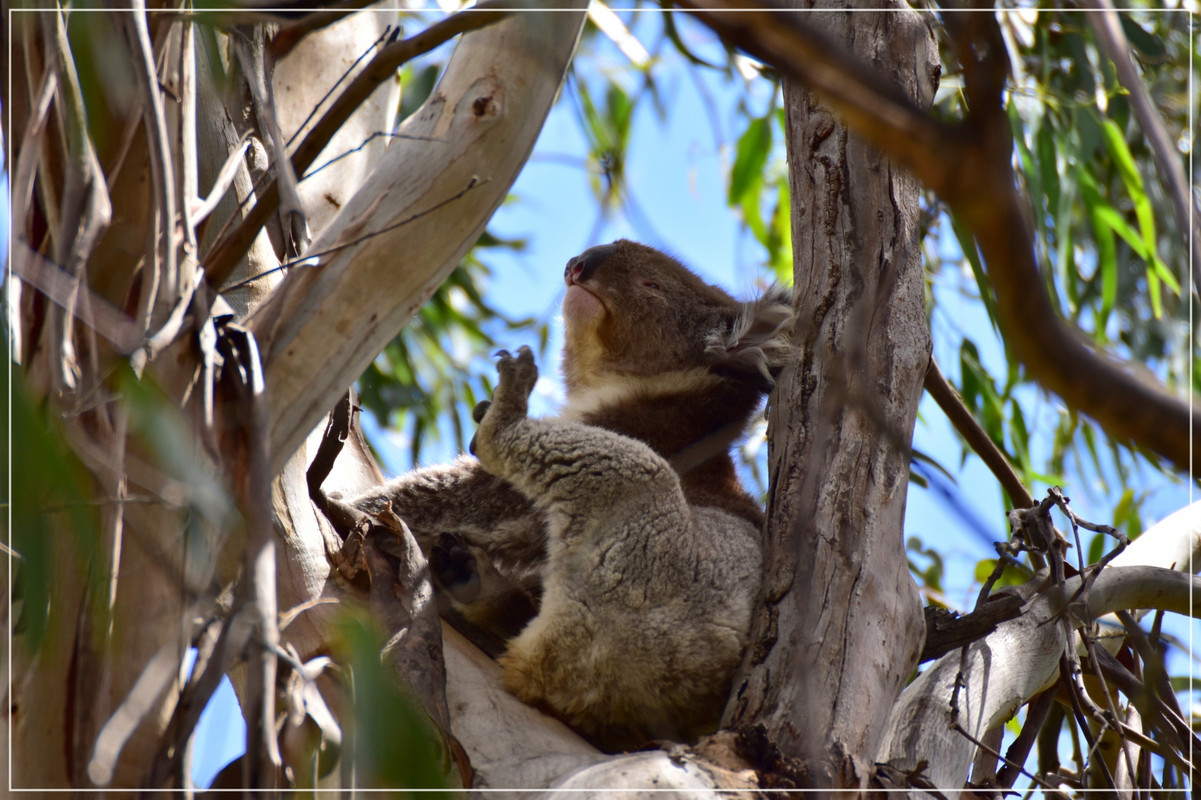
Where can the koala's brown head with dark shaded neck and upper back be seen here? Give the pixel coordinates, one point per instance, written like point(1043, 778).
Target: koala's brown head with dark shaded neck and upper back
point(656, 354)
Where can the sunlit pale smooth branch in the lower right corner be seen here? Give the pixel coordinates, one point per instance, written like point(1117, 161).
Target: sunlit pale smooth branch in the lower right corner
point(1007, 668)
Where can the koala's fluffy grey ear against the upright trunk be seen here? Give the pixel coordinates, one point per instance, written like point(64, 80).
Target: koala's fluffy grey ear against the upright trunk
point(756, 343)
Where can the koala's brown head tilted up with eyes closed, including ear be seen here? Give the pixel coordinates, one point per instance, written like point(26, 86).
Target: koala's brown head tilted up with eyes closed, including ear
point(634, 312)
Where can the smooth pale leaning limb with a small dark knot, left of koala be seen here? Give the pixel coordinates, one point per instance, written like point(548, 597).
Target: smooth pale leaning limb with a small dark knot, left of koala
point(438, 187)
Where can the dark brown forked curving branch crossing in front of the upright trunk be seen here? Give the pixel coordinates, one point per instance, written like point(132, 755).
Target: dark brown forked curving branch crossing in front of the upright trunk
point(971, 169)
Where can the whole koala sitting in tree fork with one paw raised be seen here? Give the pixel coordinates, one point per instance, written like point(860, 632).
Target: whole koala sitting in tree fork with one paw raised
point(616, 542)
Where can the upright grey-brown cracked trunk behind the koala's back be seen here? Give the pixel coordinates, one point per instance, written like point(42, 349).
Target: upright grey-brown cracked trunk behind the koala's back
point(841, 624)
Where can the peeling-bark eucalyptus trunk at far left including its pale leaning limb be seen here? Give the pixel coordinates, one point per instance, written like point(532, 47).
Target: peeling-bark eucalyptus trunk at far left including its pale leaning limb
point(177, 535)
